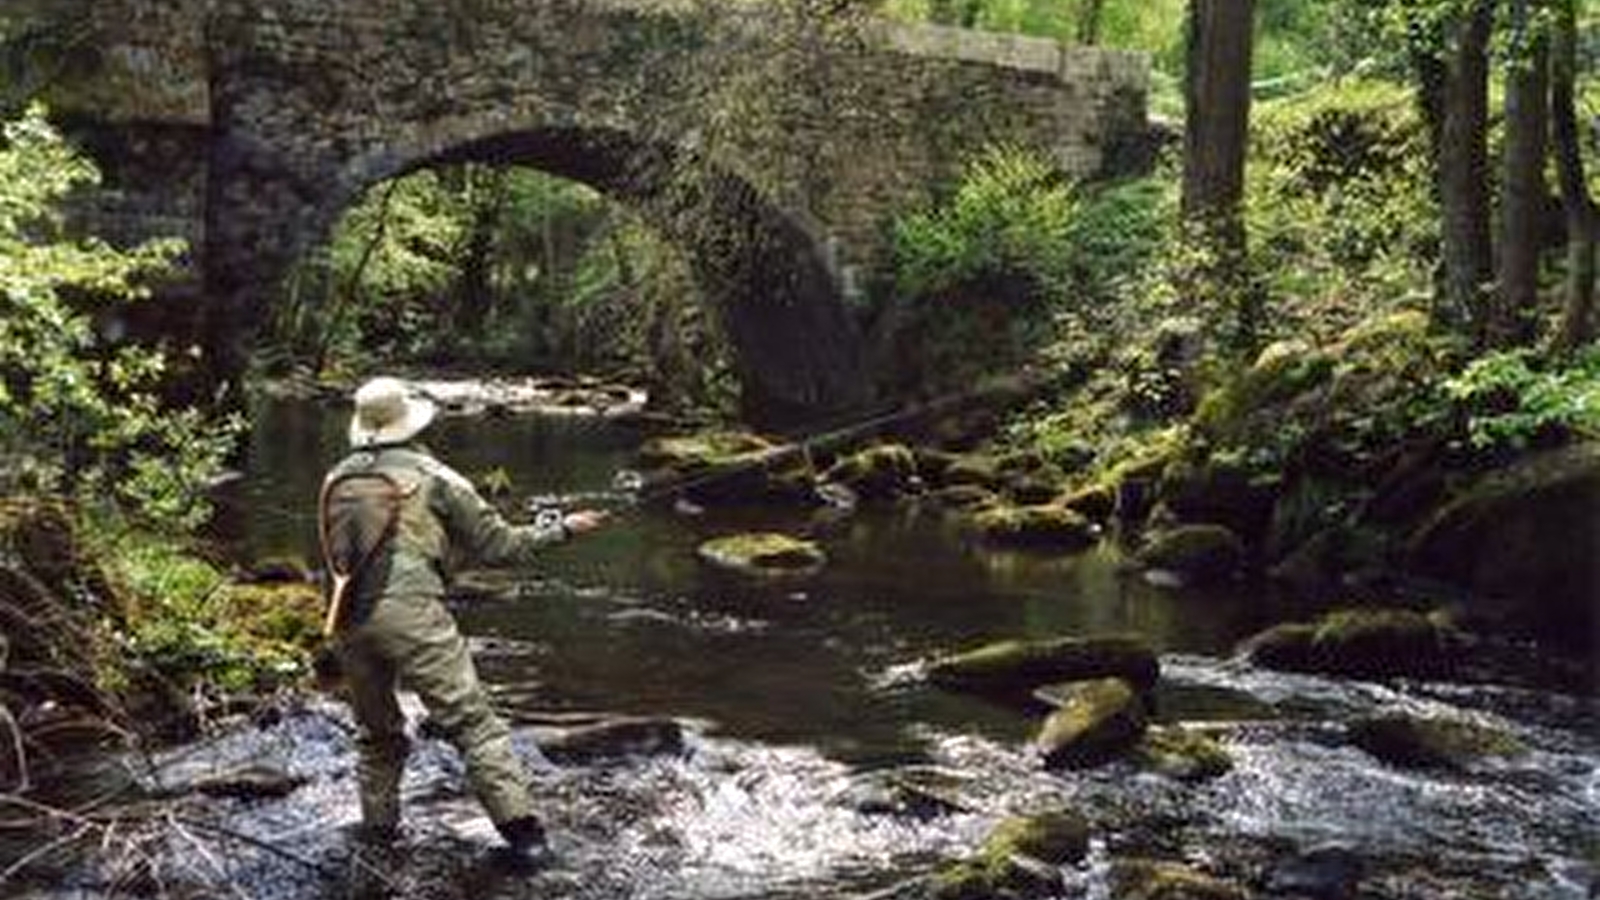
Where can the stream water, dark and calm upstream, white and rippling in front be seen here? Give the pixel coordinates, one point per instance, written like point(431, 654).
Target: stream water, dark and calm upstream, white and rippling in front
point(802, 702)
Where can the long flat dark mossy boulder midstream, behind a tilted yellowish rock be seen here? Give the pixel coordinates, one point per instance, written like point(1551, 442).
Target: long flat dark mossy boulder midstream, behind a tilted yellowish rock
point(1015, 669)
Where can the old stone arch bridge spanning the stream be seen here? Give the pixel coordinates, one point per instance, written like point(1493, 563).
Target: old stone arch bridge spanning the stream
point(772, 148)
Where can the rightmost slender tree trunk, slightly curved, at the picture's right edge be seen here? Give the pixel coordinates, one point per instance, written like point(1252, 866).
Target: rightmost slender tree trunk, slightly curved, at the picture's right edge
point(1577, 327)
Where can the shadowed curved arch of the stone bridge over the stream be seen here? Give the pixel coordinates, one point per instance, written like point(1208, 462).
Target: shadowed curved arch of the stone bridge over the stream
point(764, 271)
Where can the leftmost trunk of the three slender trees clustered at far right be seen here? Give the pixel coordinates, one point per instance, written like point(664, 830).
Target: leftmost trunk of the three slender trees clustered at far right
point(1463, 169)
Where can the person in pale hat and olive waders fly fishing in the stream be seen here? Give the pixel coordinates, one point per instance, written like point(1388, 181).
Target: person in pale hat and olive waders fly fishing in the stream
point(394, 524)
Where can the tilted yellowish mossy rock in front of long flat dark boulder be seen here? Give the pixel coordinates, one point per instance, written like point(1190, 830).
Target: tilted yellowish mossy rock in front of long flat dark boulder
point(1097, 723)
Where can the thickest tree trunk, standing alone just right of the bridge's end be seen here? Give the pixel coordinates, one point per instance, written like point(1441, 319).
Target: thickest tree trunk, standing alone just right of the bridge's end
point(1217, 98)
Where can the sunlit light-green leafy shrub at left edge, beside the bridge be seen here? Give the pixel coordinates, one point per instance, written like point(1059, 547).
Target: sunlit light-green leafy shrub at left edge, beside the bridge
point(78, 411)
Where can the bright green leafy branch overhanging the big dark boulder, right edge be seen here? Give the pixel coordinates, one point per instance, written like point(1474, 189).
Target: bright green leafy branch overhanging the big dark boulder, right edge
point(1513, 400)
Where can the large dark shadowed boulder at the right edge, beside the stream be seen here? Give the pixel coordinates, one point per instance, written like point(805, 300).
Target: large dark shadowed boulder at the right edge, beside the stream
point(1527, 539)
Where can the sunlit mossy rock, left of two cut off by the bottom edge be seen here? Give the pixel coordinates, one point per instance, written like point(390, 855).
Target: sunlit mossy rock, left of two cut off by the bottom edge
point(1020, 859)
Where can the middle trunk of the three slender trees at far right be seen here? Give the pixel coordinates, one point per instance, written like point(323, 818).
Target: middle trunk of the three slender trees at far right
point(1522, 182)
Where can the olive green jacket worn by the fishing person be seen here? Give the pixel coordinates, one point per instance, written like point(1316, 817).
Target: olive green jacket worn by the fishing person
point(444, 524)
